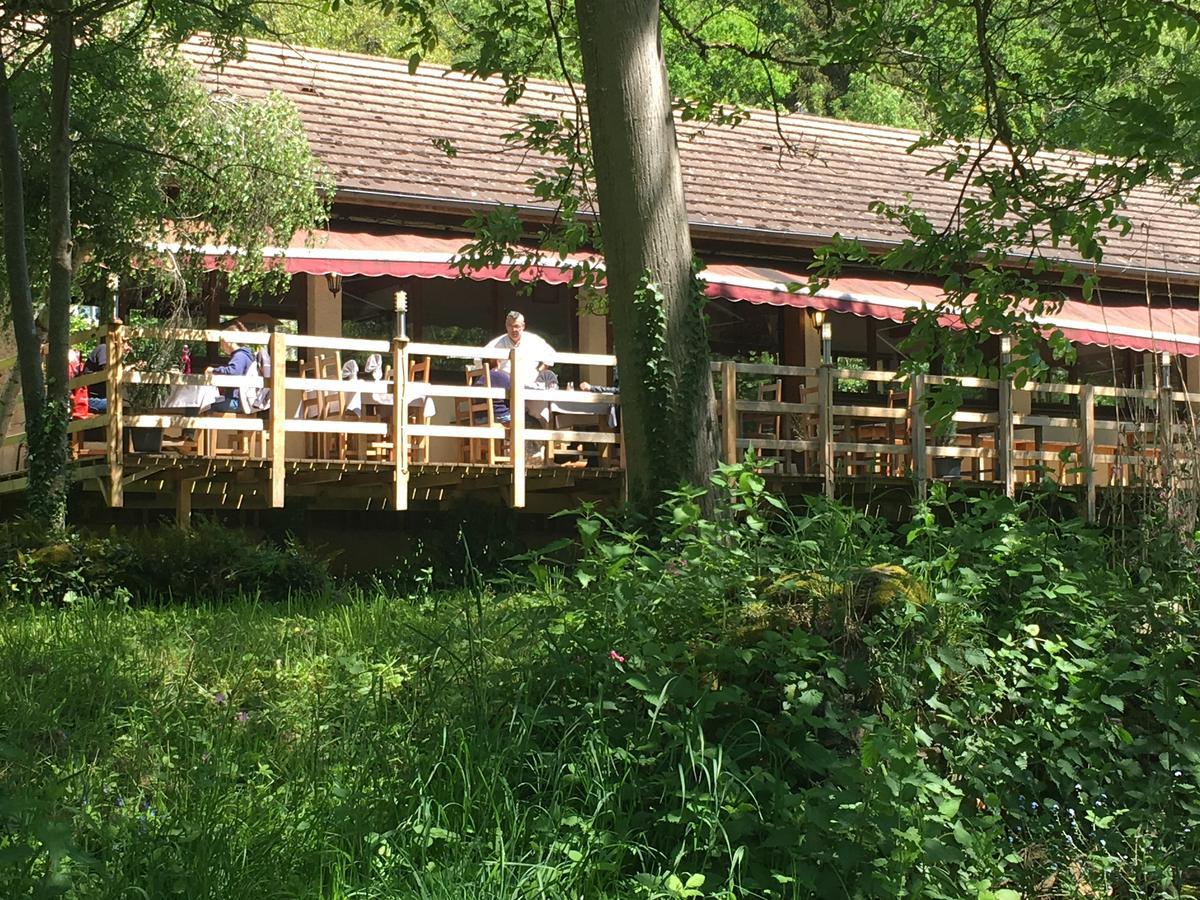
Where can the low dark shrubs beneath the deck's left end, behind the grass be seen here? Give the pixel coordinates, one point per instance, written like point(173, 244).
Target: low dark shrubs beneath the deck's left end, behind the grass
point(211, 563)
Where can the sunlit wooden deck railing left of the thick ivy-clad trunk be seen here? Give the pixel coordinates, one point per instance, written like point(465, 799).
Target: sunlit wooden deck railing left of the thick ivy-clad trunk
point(286, 413)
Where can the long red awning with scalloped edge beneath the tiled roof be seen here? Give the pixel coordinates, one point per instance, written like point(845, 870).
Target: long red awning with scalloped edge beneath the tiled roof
point(412, 255)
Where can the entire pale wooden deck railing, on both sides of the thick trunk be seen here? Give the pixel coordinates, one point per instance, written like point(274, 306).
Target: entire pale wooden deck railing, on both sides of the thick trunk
point(1099, 436)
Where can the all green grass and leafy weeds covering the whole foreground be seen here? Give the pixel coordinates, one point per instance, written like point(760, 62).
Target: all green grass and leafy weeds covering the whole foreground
point(982, 704)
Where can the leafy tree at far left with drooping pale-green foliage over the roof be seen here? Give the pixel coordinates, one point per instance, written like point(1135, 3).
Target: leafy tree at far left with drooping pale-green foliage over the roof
point(109, 147)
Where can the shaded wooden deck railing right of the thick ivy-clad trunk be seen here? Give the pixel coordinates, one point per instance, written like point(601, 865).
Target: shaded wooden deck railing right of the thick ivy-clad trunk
point(1102, 436)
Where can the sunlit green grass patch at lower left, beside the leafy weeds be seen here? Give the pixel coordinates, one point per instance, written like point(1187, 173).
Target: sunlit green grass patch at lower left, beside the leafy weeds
point(338, 749)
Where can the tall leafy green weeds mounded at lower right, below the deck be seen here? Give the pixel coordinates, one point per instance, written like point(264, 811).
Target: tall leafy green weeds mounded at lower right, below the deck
point(981, 704)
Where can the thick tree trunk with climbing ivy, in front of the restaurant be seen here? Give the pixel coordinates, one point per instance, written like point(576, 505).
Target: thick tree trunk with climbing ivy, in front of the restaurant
point(667, 391)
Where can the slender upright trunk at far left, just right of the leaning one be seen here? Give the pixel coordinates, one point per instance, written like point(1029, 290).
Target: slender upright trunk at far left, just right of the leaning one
point(49, 449)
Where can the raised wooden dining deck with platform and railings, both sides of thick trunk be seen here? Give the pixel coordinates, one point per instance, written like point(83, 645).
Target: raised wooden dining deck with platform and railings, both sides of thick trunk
point(853, 430)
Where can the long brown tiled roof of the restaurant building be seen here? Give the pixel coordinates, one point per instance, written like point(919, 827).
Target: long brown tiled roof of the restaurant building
point(381, 130)
